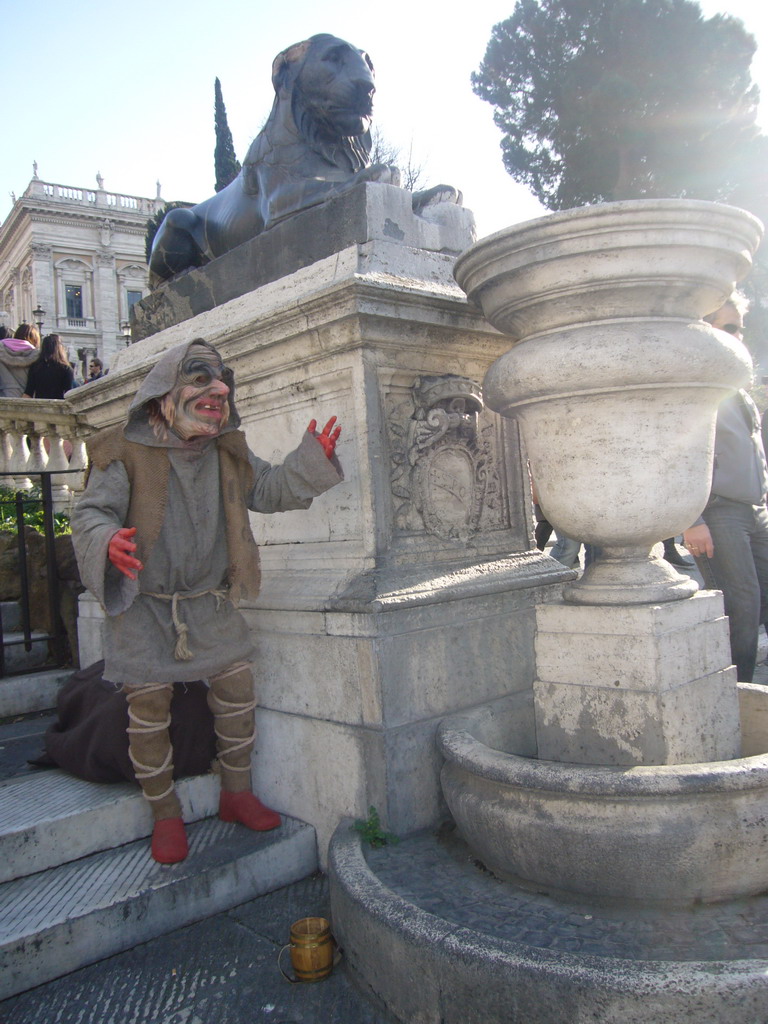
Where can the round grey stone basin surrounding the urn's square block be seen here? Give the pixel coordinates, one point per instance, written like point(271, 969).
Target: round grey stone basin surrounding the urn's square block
point(665, 833)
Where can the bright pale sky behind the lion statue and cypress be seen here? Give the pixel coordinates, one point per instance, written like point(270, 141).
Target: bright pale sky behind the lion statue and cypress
point(127, 92)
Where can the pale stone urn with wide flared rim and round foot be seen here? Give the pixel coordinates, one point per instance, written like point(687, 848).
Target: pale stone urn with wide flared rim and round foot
point(614, 377)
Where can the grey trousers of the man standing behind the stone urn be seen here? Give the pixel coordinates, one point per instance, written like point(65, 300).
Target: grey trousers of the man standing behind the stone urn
point(733, 570)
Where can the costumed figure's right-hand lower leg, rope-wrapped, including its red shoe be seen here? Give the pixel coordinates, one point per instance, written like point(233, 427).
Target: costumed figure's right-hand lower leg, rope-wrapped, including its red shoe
point(231, 699)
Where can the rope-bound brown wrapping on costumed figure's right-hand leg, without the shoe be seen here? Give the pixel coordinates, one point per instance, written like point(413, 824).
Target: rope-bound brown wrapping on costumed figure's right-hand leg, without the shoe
point(232, 702)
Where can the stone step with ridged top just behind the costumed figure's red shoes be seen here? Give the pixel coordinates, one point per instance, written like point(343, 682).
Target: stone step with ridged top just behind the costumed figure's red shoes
point(52, 819)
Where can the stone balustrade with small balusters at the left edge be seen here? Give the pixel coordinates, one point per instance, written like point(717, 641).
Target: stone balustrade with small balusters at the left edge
point(38, 436)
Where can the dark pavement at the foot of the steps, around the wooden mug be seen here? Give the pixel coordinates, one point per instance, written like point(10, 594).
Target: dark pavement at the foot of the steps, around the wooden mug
point(221, 971)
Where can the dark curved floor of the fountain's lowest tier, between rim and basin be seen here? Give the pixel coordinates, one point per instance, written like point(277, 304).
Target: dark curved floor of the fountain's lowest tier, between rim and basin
point(440, 875)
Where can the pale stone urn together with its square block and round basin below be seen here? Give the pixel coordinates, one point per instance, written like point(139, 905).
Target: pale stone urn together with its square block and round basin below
point(643, 788)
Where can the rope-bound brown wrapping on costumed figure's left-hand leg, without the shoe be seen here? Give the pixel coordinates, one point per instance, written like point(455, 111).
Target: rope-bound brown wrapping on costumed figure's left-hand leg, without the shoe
point(150, 746)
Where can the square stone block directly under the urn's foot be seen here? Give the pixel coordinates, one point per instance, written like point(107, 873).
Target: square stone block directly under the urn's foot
point(636, 686)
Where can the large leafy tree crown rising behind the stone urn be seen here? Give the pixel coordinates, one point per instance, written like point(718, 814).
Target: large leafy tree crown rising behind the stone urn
point(610, 100)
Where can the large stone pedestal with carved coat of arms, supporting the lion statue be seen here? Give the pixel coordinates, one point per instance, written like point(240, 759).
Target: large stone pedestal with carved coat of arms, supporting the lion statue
point(408, 591)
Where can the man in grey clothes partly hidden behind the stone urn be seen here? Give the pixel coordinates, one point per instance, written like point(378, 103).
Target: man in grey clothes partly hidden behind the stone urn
point(730, 540)
